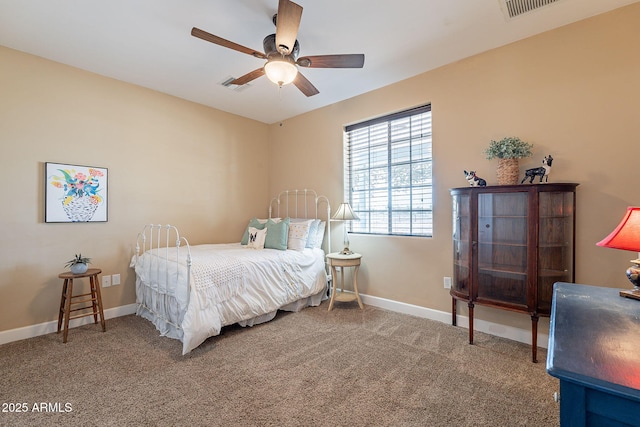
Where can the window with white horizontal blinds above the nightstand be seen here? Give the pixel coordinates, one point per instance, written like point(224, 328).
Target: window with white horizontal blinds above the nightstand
point(388, 179)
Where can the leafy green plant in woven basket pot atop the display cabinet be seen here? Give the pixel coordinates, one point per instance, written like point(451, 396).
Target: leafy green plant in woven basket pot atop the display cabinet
point(508, 150)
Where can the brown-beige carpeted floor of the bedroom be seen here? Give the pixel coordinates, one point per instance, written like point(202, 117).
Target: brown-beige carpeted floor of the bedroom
point(313, 368)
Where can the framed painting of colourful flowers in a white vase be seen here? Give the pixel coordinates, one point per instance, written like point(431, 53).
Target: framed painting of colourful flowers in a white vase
point(75, 193)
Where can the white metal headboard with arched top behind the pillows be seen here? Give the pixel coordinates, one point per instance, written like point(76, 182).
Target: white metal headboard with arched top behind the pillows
point(302, 204)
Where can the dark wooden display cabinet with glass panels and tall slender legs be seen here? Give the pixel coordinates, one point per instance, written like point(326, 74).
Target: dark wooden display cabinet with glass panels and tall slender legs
point(511, 243)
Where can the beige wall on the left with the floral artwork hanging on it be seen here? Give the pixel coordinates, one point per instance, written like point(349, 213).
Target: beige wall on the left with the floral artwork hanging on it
point(169, 161)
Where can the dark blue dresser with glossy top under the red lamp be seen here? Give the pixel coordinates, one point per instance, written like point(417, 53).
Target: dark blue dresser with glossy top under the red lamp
point(594, 350)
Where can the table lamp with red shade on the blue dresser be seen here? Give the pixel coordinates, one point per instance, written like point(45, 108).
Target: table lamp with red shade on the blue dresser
point(626, 236)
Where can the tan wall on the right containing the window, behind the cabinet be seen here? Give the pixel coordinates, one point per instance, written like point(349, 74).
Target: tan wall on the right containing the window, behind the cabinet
point(573, 92)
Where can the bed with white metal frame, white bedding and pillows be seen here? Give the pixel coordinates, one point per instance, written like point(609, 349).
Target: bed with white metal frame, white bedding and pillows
point(190, 292)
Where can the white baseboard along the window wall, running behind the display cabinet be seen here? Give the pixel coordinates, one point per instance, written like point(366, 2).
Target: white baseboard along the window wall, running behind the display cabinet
point(503, 331)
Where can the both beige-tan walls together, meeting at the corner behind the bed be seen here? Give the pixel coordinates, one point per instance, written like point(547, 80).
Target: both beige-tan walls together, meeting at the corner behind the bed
point(572, 92)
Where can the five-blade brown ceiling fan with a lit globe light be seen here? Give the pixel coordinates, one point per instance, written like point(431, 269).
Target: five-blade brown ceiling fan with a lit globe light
point(281, 52)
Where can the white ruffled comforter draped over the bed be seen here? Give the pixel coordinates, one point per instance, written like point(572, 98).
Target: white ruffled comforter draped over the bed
point(228, 283)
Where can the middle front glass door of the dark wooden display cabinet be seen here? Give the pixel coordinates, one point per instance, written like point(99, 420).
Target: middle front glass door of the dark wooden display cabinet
point(502, 247)
